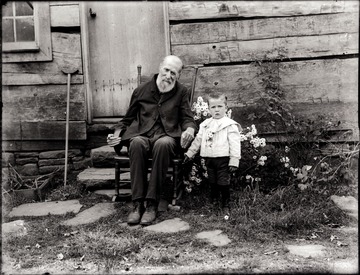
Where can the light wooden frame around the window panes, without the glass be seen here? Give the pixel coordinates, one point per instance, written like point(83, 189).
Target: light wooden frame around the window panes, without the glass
point(41, 49)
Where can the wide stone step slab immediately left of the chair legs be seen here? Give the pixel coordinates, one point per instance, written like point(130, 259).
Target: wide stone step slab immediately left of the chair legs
point(97, 178)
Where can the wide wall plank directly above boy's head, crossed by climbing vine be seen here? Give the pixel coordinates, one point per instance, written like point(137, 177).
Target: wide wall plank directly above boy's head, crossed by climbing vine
point(304, 81)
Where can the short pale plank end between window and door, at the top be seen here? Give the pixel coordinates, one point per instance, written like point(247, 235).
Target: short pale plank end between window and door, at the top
point(65, 16)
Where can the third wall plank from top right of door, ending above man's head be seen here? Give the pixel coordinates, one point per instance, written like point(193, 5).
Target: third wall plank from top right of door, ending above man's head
point(290, 47)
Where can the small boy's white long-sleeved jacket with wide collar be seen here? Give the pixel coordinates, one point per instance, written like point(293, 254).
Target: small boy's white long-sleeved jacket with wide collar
point(225, 141)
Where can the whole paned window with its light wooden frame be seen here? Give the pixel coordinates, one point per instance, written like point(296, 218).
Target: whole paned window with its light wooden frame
point(26, 31)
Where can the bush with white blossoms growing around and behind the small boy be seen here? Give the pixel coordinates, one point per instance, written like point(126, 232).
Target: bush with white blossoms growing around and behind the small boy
point(265, 166)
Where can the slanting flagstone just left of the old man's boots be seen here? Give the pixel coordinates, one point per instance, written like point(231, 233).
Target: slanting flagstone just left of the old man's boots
point(91, 214)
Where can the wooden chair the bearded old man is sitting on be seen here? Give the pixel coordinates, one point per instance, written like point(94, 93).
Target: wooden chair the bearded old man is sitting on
point(122, 163)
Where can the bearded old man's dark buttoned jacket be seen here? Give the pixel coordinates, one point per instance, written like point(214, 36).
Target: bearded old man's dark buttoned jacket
point(146, 107)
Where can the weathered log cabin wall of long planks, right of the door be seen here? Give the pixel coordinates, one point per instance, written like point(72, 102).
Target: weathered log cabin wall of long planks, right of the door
point(319, 40)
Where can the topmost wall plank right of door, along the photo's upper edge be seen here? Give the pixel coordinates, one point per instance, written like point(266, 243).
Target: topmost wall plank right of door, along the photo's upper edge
point(191, 10)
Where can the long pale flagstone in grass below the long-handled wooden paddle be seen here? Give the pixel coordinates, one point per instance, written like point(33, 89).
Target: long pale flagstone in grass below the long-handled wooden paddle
point(46, 208)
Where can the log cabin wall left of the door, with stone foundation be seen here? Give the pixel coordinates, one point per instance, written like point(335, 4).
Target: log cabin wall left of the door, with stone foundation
point(34, 98)
